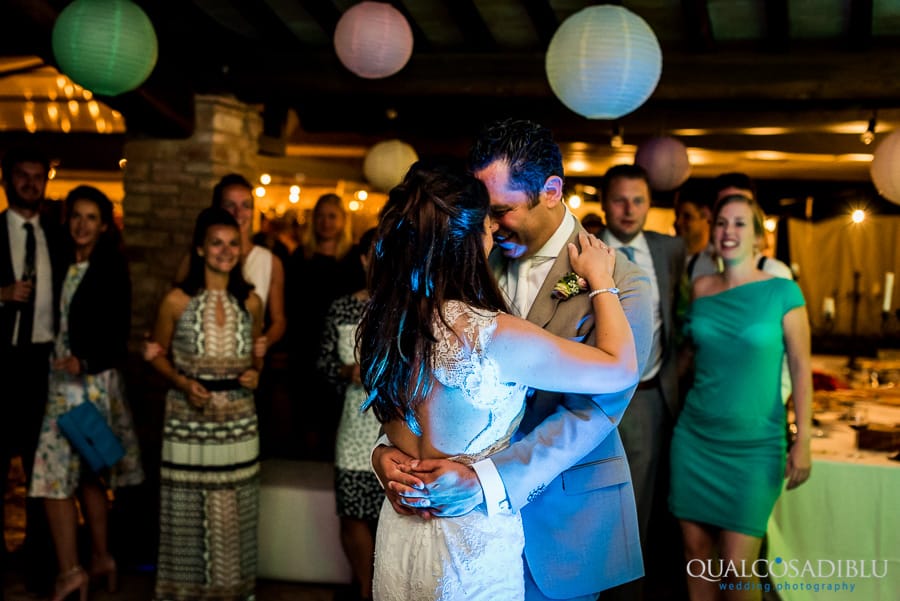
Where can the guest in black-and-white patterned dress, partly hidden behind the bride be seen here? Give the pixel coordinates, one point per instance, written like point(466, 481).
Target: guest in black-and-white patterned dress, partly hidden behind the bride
point(357, 491)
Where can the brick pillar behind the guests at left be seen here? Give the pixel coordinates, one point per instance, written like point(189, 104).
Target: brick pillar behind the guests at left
point(168, 182)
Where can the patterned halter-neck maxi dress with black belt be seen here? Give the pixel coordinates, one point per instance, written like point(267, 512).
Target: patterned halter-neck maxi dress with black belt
point(209, 481)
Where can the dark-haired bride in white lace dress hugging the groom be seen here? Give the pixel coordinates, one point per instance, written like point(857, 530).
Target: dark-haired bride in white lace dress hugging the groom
point(447, 369)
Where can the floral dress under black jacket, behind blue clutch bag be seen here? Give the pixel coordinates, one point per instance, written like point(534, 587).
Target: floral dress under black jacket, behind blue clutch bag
point(57, 467)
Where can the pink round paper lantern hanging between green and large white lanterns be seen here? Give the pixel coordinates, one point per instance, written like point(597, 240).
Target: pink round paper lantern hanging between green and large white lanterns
point(373, 40)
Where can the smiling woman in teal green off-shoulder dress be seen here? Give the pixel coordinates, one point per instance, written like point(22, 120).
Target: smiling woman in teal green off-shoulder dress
point(729, 456)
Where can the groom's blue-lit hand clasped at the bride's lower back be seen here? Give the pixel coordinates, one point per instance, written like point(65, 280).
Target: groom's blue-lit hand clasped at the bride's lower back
point(451, 488)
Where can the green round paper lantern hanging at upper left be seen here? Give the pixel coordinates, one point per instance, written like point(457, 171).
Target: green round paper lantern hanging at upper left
point(106, 46)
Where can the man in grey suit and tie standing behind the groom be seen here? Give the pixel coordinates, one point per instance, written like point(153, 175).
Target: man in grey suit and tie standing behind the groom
point(646, 428)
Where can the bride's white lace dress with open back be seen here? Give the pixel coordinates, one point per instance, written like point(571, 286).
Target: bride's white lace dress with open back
point(471, 557)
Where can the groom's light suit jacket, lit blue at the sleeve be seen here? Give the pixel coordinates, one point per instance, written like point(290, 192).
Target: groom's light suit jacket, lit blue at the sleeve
point(566, 470)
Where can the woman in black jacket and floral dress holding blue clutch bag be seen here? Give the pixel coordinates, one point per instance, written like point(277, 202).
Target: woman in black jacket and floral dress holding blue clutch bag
point(95, 319)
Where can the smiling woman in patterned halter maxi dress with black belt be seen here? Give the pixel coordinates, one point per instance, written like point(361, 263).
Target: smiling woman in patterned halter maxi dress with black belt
point(209, 497)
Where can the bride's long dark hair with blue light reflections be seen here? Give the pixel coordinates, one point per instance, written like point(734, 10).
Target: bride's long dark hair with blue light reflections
point(429, 249)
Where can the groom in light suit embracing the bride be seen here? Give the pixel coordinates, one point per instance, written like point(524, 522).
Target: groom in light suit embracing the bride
point(566, 470)
